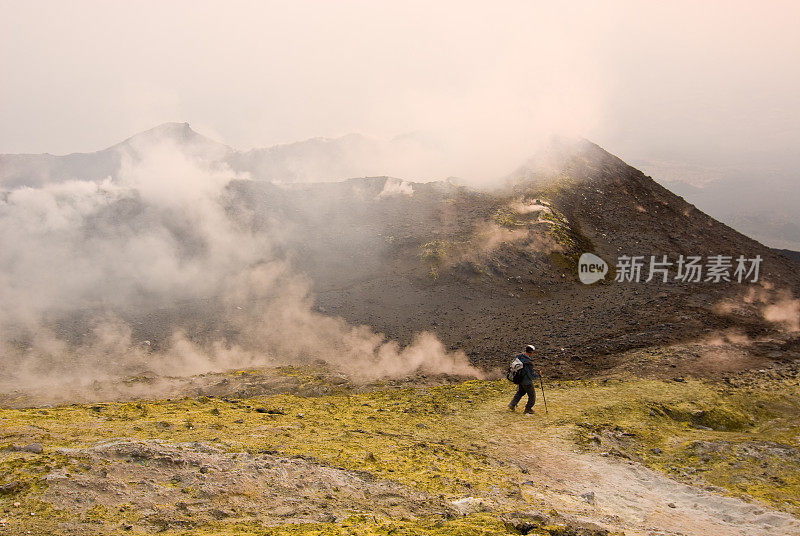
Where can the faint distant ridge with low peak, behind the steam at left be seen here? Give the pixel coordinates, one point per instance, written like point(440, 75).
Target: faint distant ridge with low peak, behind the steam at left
point(314, 160)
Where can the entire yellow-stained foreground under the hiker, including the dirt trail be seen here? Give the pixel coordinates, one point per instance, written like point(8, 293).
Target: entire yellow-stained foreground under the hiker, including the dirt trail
point(623, 455)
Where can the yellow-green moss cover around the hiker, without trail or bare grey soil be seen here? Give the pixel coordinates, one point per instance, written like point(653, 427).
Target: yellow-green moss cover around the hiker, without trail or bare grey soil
point(448, 441)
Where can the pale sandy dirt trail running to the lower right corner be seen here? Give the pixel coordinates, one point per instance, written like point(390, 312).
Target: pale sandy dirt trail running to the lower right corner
point(625, 496)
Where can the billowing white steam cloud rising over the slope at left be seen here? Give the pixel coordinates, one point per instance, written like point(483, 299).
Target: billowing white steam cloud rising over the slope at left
point(162, 234)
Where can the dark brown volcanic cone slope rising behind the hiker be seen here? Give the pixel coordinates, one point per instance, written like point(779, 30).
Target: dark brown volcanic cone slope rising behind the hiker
point(486, 270)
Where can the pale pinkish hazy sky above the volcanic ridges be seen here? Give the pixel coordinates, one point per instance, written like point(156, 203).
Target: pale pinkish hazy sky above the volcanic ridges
point(694, 82)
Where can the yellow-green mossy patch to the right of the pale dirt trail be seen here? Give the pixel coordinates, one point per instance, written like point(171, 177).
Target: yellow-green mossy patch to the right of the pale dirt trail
point(746, 442)
